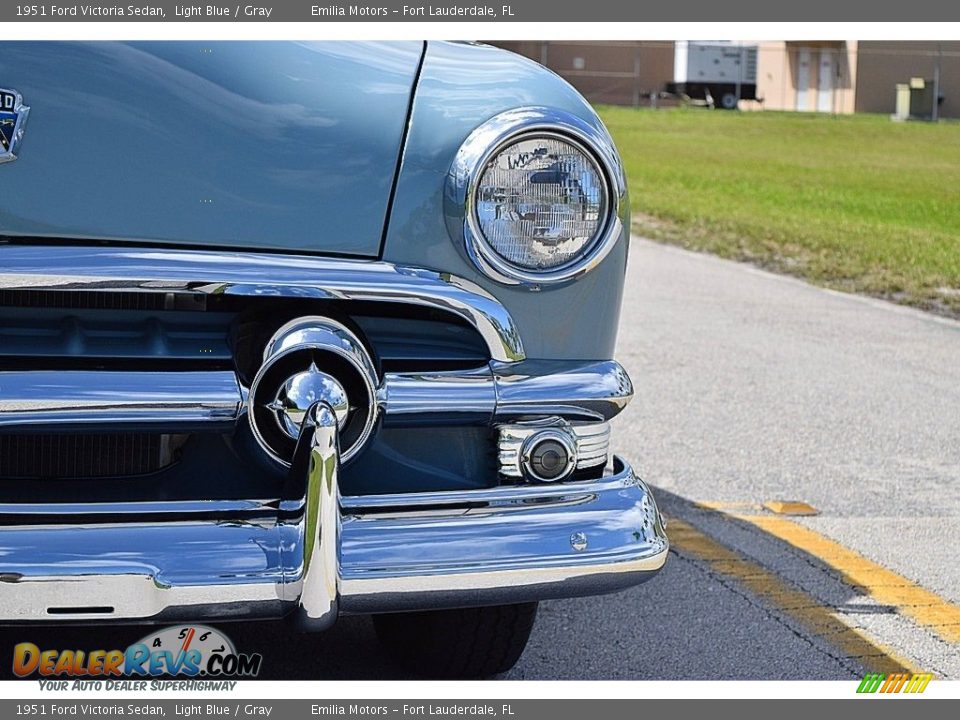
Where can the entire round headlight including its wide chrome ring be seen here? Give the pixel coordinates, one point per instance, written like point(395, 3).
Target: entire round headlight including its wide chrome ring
point(540, 195)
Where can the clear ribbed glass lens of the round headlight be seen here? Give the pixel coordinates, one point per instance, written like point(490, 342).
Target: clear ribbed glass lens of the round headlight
point(541, 202)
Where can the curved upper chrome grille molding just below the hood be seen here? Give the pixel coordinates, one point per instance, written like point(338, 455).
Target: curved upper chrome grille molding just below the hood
point(113, 269)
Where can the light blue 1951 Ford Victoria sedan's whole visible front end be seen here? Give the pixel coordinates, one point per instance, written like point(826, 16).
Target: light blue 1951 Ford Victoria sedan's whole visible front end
point(303, 330)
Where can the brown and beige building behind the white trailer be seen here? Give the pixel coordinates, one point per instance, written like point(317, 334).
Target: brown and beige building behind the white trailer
point(842, 76)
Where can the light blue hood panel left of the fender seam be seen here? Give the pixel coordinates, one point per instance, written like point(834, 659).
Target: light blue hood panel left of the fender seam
point(247, 145)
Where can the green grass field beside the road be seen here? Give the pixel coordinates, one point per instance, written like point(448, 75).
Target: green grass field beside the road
point(858, 203)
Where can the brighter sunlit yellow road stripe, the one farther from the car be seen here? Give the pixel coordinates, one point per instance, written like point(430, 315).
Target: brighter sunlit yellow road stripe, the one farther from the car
point(885, 586)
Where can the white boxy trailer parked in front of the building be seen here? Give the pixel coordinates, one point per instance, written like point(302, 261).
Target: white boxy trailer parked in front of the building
point(723, 72)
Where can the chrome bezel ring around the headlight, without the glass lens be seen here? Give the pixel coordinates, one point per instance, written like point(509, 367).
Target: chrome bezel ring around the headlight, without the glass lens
point(505, 129)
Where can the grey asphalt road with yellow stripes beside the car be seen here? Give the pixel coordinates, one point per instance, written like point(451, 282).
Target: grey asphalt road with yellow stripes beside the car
point(750, 388)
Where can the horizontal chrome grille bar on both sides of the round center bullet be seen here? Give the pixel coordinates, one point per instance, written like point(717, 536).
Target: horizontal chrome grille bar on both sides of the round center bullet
point(214, 399)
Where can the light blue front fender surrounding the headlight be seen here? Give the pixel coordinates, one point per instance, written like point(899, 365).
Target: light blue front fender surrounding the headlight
point(461, 86)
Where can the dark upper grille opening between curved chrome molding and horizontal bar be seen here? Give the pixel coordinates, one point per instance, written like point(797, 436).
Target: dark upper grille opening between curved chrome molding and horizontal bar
point(167, 331)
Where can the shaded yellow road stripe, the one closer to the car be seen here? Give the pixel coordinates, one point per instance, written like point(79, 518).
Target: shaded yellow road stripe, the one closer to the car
point(821, 620)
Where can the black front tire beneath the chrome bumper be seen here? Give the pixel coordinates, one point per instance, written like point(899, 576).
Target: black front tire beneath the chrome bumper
point(467, 643)
